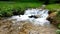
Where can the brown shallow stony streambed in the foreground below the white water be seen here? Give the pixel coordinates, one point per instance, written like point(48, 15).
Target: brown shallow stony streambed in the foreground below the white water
point(11, 27)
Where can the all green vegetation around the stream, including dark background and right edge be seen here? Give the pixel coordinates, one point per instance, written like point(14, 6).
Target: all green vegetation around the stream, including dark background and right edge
point(8, 8)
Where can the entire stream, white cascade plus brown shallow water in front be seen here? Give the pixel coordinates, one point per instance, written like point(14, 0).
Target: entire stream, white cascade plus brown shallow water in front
point(23, 24)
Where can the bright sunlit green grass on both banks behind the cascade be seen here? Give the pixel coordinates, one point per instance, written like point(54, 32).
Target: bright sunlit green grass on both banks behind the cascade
point(23, 5)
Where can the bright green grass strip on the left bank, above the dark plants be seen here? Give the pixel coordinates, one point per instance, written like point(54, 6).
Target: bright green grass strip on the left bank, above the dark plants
point(10, 5)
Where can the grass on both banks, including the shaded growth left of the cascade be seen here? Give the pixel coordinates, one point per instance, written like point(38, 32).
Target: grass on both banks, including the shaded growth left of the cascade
point(19, 7)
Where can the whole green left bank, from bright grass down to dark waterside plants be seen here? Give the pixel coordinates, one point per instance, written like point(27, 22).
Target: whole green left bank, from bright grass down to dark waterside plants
point(15, 8)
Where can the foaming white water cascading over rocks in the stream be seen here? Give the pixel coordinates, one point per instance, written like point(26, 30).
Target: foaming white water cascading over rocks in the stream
point(41, 20)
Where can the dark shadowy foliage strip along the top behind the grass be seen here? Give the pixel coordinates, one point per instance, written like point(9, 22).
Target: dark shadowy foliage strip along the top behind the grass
point(45, 1)
